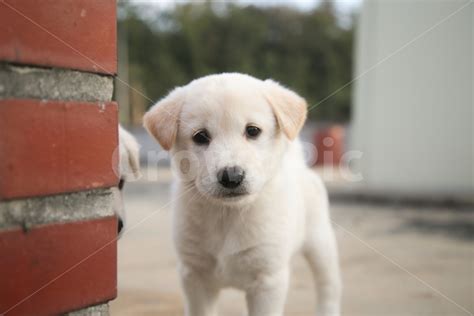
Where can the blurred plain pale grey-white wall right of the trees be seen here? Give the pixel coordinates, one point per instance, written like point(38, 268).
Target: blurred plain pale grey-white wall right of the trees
point(413, 107)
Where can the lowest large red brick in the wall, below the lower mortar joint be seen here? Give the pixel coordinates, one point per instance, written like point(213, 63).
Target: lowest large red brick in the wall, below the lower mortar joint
point(56, 268)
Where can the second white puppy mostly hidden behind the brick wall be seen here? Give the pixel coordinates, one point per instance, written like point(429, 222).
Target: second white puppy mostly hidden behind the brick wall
point(129, 170)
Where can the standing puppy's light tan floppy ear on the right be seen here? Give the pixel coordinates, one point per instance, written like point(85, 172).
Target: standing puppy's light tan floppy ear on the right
point(290, 109)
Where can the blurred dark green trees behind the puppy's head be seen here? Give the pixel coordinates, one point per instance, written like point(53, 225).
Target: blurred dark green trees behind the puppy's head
point(308, 51)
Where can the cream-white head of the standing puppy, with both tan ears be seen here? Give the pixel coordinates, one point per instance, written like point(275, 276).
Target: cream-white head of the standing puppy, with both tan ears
point(227, 133)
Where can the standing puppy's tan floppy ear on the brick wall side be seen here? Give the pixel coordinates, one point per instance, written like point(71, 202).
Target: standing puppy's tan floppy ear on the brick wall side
point(161, 120)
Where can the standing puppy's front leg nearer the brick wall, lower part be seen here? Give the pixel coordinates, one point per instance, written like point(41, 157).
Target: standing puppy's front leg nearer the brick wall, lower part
point(199, 291)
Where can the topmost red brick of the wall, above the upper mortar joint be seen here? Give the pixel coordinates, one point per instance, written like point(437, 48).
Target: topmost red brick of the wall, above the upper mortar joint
point(78, 34)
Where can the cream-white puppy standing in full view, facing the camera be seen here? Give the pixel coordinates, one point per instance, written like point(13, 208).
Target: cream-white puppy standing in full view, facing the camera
point(245, 202)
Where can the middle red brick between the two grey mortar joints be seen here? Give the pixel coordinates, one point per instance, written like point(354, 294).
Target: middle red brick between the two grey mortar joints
point(50, 147)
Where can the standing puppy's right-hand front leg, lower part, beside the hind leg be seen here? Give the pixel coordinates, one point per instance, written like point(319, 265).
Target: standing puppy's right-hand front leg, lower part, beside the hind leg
point(267, 297)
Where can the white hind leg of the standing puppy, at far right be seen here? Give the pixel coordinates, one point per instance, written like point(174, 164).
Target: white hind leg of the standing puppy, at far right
point(321, 253)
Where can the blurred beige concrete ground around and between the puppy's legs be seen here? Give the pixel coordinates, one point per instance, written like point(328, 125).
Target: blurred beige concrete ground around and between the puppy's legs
point(396, 260)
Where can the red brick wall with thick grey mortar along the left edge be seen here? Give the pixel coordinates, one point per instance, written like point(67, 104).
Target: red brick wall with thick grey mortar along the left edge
point(58, 135)
